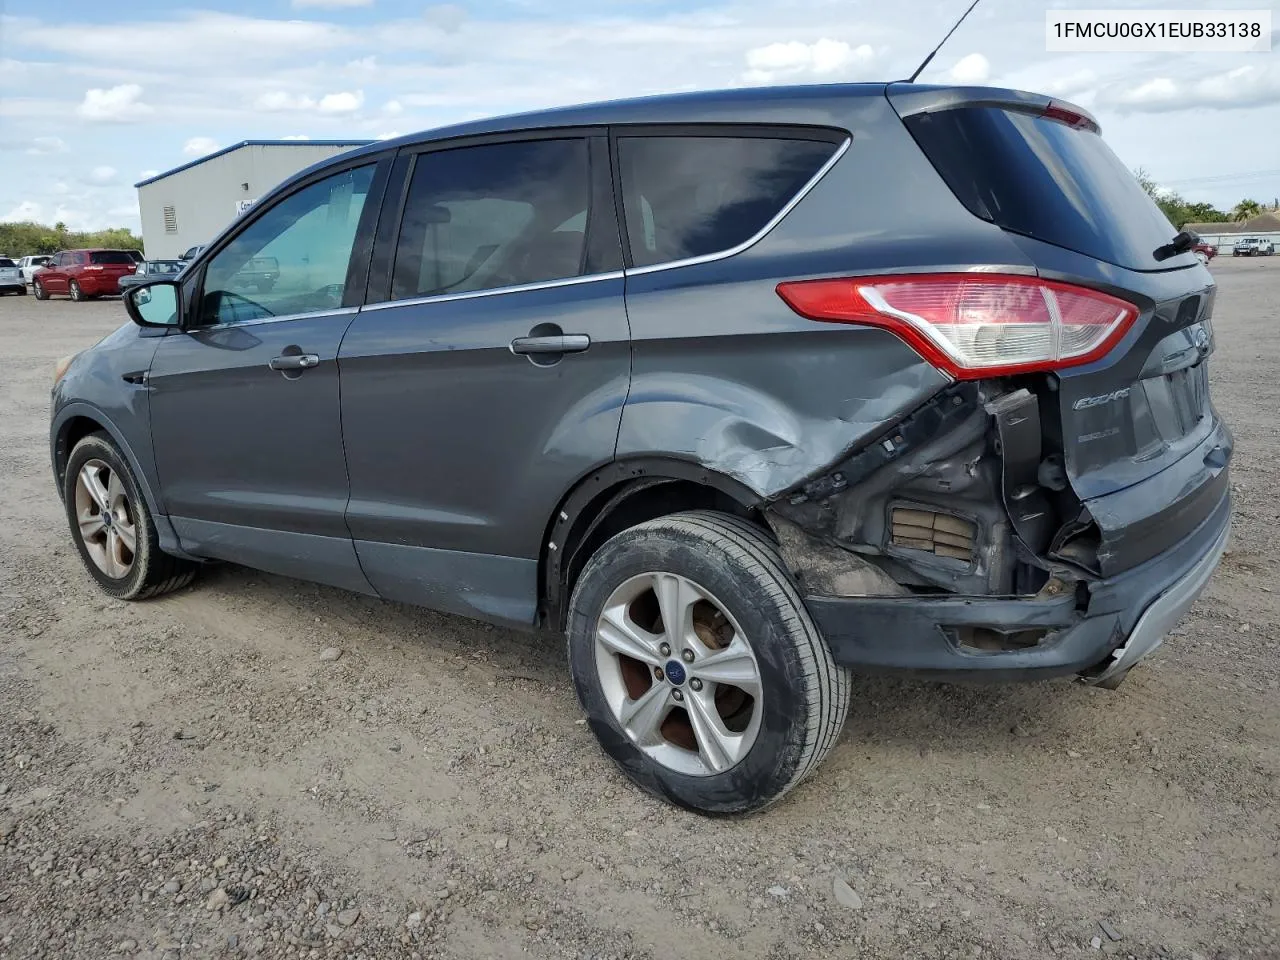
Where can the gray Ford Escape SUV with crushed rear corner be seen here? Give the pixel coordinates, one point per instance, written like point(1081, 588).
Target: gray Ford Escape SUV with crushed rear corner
point(740, 392)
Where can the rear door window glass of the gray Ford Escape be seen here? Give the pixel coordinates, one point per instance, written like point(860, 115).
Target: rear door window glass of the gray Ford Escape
point(495, 216)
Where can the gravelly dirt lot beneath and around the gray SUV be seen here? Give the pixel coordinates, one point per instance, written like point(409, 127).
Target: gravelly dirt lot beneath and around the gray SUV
point(189, 778)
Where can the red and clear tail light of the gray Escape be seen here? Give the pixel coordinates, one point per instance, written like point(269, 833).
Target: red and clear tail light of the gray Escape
point(975, 326)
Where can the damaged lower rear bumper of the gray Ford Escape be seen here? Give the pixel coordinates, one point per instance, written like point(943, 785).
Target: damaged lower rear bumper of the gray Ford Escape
point(1123, 620)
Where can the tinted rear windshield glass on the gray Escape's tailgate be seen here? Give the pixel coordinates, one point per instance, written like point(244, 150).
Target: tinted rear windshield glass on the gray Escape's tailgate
point(1045, 180)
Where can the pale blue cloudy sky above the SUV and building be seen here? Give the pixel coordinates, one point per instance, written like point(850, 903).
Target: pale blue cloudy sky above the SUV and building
point(98, 97)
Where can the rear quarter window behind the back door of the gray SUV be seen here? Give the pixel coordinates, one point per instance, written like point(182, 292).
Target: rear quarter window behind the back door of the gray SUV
point(693, 196)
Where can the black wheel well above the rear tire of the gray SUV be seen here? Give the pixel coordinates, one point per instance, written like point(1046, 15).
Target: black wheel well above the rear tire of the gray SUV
point(614, 500)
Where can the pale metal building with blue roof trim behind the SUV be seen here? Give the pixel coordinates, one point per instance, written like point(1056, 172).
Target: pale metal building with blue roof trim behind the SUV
point(191, 204)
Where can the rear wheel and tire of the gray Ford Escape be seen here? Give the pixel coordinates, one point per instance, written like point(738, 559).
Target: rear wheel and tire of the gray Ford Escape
point(733, 707)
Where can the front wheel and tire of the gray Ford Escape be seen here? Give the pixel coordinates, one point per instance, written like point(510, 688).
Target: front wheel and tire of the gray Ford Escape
point(112, 525)
